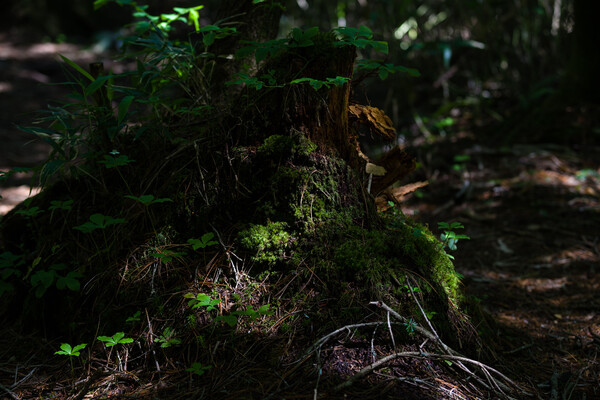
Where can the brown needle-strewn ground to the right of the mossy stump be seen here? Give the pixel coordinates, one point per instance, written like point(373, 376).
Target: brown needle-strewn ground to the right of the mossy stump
point(533, 258)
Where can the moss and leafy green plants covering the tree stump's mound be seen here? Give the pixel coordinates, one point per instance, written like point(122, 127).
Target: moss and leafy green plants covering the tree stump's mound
point(157, 224)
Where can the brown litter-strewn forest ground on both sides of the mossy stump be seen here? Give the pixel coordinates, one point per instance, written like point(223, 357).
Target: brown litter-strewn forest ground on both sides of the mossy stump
point(532, 213)
